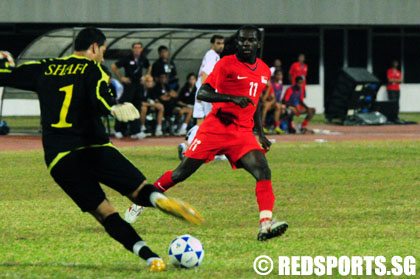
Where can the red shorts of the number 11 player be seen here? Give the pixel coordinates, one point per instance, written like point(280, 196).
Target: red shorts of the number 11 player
point(234, 143)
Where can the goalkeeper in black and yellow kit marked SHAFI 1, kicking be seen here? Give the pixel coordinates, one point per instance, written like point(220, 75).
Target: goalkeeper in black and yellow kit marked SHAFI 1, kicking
point(73, 94)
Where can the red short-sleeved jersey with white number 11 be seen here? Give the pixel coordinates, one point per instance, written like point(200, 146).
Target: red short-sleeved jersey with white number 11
point(233, 77)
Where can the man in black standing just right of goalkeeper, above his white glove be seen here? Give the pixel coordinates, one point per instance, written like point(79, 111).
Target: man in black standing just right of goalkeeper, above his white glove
point(133, 65)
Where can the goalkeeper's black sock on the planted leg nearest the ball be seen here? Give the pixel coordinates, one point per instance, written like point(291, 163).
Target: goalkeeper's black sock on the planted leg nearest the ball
point(124, 233)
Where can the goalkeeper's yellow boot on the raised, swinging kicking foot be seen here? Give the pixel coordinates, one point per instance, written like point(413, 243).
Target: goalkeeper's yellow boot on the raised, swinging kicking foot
point(177, 208)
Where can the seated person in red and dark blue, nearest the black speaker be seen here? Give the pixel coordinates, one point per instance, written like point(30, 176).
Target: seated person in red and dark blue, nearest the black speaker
point(293, 99)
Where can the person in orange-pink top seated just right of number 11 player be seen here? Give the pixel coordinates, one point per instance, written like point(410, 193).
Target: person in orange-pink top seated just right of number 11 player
point(272, 101)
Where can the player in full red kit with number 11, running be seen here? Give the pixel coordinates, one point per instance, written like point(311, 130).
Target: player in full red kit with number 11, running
point(239, 80)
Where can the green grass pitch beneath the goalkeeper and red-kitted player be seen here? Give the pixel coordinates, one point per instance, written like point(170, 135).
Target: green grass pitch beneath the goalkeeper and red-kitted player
point(349, 198)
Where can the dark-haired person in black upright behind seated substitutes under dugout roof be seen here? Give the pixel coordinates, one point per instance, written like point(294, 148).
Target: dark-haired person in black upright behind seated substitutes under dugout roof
point(163, 66)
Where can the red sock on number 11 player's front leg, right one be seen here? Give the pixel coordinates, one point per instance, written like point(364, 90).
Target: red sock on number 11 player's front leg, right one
point(265, 199)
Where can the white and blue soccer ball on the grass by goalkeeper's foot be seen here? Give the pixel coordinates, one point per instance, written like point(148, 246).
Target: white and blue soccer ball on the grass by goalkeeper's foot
point(186, 251)
